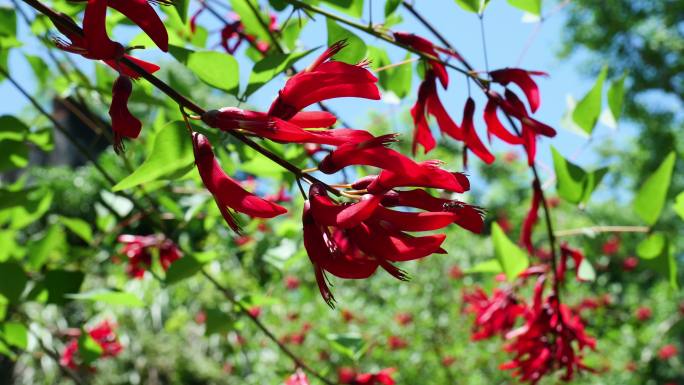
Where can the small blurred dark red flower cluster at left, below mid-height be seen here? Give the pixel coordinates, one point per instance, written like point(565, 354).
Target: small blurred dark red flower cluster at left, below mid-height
point(139, 250)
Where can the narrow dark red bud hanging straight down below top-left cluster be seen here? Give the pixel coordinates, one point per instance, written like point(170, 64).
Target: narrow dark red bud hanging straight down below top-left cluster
point(124, 124)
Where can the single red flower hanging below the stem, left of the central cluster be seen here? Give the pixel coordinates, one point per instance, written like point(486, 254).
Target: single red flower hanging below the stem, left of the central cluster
point(226, 191)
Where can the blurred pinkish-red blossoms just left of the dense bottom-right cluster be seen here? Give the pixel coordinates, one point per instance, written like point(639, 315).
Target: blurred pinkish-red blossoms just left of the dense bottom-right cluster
point(495, 315)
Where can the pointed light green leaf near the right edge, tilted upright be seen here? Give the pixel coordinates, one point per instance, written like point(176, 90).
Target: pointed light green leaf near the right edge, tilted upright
point(650, 199)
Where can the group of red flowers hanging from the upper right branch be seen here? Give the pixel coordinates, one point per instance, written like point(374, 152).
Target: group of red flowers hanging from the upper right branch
point(428, 103)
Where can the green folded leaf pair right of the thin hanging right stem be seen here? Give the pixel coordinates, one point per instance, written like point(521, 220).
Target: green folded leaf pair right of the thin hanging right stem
point(573, 183)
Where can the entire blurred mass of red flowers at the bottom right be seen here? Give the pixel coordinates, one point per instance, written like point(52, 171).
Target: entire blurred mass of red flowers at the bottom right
point(552, 335)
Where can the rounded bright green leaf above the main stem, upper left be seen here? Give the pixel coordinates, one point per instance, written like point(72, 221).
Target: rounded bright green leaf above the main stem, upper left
point(217, 69)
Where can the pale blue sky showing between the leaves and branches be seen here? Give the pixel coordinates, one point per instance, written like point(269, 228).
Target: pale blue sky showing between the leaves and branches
point(506, 36)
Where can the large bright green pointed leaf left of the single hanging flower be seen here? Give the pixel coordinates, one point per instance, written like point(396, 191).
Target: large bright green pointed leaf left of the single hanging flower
point(170, 158)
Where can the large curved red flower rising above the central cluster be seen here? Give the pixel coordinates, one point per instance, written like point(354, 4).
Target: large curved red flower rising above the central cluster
point(324, 79)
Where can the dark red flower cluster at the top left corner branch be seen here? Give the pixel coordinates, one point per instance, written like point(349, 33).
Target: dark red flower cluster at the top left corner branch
point(95, 44)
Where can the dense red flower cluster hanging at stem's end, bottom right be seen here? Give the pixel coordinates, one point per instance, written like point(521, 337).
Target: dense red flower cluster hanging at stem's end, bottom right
point(552, 339)
